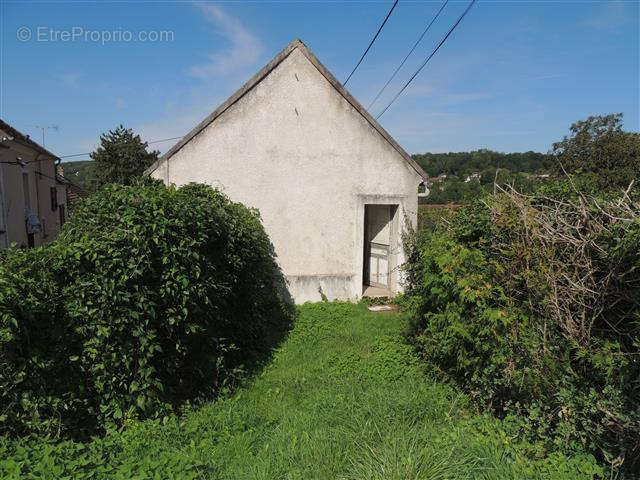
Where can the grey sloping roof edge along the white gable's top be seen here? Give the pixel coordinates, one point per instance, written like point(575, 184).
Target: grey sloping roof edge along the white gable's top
point(258, 77)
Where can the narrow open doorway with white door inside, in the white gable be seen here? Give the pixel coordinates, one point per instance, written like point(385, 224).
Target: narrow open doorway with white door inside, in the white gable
point(379, 243)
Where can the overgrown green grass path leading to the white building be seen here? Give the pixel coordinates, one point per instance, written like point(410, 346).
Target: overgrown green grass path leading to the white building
point(343, 398)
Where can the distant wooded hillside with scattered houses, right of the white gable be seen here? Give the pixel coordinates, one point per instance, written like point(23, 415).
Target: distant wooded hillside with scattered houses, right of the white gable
point(461, 164)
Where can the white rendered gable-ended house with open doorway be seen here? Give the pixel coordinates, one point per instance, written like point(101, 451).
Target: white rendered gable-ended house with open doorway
point(334, 190)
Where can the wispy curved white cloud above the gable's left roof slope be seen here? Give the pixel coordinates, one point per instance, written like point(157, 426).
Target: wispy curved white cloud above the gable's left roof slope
point(243, 48)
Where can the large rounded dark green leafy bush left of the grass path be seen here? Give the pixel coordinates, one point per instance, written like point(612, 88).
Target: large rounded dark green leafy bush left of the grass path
point(150, 297)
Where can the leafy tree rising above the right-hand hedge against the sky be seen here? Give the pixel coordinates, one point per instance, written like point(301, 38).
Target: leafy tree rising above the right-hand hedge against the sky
point(599, 146)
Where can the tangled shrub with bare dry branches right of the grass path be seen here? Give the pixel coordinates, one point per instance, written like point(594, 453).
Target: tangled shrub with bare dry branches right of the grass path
point(532, 305)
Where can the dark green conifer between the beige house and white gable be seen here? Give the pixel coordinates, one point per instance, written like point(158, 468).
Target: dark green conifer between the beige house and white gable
point(121, 157)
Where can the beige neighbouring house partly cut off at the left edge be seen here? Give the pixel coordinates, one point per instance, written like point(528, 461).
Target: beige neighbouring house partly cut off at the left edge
point(32, 197)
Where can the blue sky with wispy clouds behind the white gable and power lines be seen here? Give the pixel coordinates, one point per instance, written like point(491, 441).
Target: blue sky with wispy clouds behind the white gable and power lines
point(512, 77)
